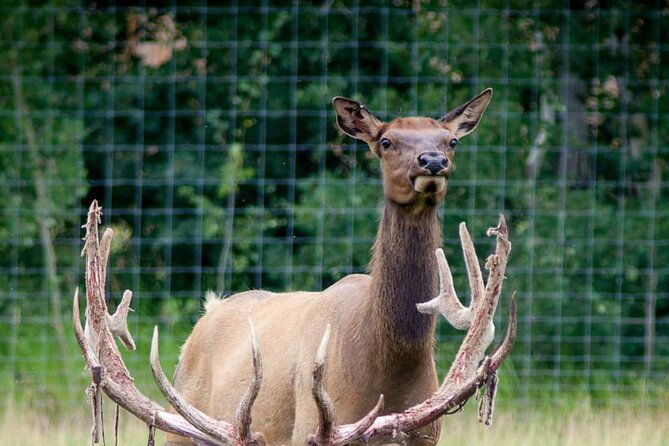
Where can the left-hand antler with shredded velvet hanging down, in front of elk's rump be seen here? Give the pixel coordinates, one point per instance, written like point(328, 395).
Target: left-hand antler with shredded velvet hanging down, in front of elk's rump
point(110, 374)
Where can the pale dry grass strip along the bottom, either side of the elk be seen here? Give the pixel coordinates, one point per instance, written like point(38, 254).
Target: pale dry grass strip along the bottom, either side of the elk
point(578, 424)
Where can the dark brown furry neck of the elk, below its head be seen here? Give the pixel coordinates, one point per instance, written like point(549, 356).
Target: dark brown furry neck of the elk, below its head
point(404, 273)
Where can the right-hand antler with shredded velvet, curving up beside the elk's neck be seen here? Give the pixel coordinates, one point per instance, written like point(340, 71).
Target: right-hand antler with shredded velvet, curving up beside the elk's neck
point(470, 371)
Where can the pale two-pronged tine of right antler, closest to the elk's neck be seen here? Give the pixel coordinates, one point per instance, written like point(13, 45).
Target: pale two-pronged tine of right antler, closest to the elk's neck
point(447, 303)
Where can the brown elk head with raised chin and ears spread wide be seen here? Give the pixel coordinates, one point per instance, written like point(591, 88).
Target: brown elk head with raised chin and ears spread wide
point(416, 153)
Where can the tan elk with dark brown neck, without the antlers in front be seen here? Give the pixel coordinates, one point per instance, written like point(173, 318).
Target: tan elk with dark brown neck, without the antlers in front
point(380, 343)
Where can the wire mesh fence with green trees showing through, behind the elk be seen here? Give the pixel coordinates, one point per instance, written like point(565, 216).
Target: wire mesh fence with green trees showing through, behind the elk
point(207, 135)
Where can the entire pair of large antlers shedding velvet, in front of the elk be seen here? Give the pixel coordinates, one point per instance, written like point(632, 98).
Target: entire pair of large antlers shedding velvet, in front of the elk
point(470, 370)
